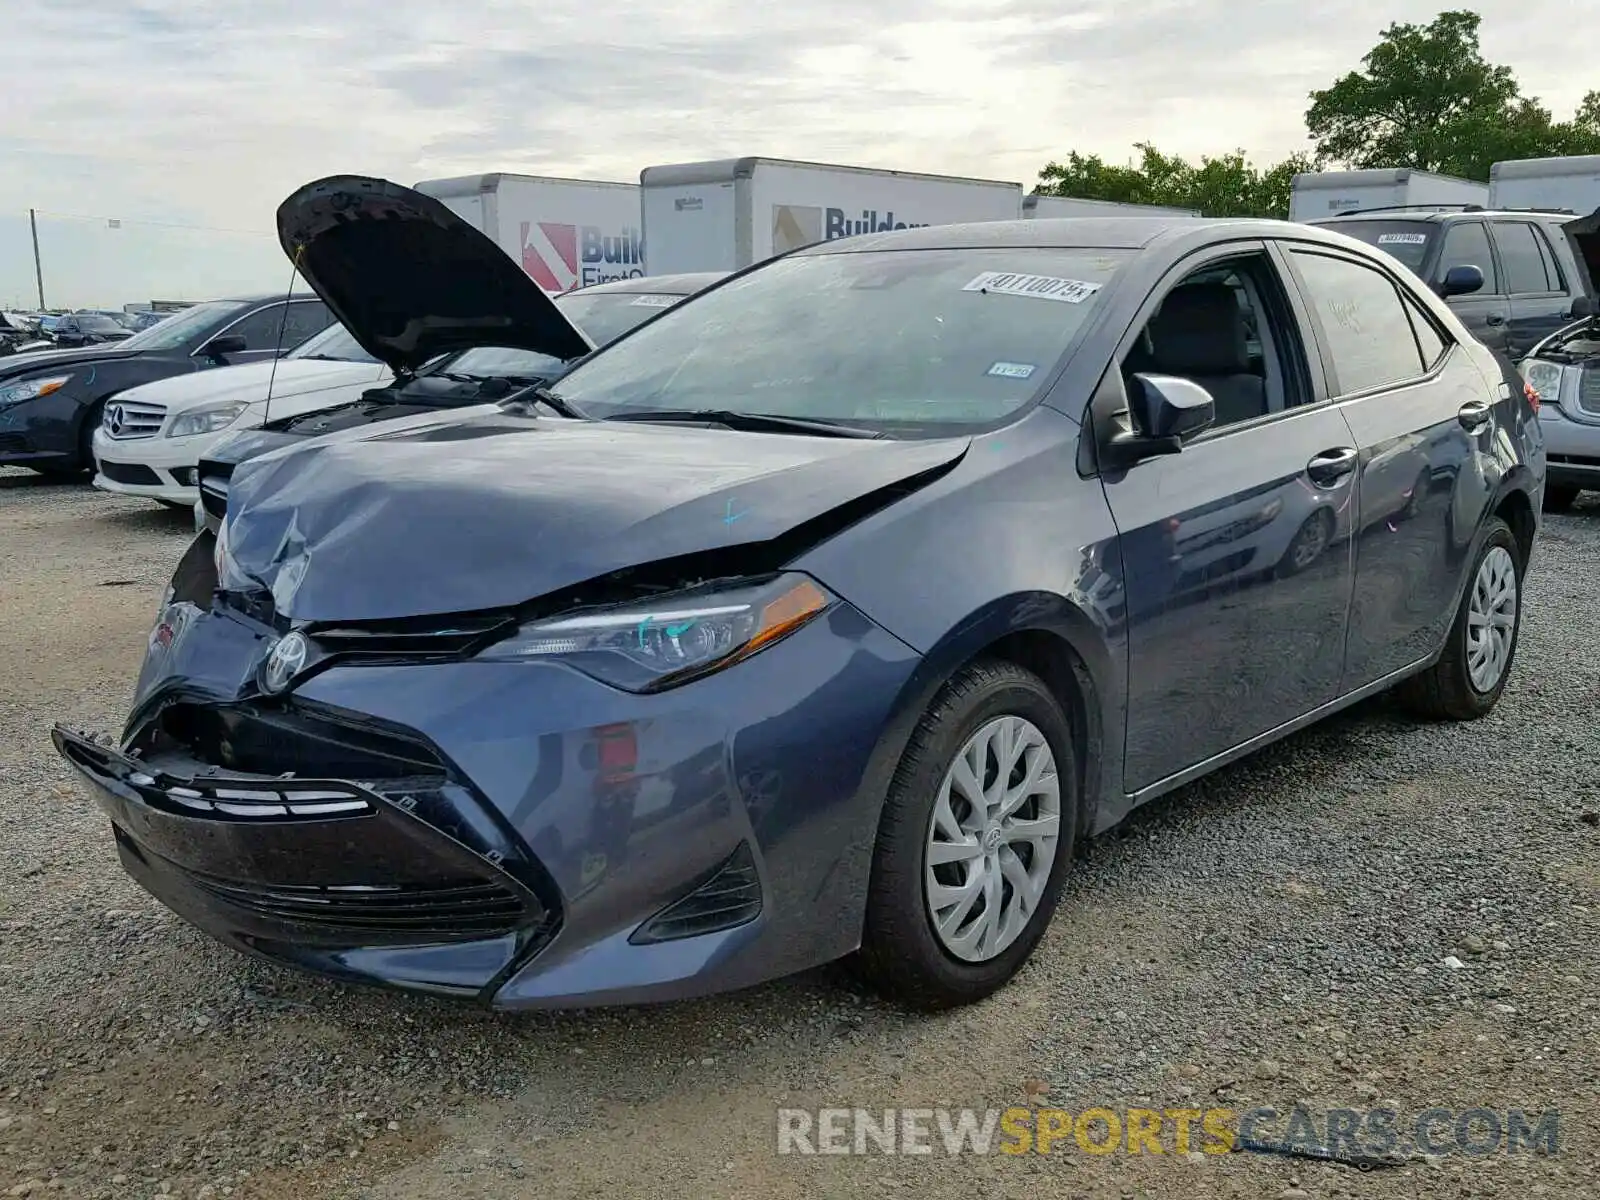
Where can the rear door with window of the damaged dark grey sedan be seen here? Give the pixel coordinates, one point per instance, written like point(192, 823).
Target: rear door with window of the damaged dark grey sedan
point(1414, 401)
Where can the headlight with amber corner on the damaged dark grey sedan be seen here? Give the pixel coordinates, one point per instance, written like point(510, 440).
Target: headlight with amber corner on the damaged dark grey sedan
point(674, 638)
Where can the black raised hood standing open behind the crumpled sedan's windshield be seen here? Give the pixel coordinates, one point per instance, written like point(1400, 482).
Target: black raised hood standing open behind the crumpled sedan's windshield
point(410, 279)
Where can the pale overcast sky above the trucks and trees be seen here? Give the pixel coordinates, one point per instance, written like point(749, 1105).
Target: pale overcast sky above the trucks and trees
point(207, 113)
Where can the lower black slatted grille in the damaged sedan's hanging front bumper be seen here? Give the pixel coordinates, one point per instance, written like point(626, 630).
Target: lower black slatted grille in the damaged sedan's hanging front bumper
point(449, 911)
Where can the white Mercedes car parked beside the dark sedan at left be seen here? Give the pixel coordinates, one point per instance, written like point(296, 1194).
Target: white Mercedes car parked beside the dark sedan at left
point(153, 438)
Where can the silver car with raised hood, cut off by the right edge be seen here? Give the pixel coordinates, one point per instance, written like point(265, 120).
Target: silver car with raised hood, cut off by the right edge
point(1566, 372)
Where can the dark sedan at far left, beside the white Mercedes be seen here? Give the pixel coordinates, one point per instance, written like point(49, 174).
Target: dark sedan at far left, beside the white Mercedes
point(52, 401)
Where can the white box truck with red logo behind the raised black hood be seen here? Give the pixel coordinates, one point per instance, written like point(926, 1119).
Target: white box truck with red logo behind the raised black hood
point(566, 233)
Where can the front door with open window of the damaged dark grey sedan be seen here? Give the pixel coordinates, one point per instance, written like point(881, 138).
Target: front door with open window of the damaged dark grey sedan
point(1234, 553)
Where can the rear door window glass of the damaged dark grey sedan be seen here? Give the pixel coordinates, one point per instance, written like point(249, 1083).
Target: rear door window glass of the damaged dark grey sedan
point(1364, 322)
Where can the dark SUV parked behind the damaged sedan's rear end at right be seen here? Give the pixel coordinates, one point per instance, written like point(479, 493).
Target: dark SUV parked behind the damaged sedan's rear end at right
point(1535, 279)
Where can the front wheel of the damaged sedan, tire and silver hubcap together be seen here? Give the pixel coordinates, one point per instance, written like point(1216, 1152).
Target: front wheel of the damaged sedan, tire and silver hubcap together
point(975, 841)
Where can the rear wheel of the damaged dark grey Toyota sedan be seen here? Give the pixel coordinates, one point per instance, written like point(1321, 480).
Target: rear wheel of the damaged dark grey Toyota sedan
point(1471, 674)
